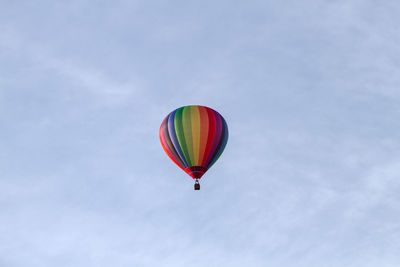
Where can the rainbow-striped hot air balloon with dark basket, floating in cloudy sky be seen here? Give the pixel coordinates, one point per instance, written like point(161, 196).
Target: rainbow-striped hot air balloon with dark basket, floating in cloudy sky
point(194, 137)
